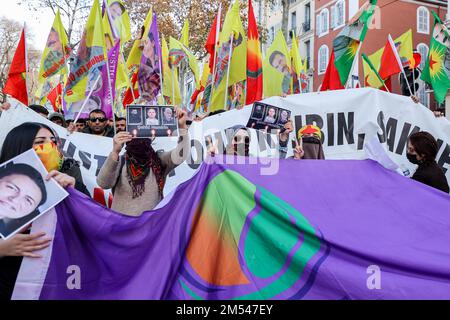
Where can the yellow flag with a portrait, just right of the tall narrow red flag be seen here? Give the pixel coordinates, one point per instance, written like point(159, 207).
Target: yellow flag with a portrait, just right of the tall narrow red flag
point(277, 68)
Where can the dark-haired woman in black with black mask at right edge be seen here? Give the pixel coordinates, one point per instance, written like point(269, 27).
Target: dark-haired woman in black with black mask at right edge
point(422, 150)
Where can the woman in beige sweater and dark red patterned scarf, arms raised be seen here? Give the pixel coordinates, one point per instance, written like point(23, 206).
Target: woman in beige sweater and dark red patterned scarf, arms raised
point(138, 177)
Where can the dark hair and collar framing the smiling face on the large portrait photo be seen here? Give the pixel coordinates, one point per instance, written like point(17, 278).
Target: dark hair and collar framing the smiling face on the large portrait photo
point(33, 174)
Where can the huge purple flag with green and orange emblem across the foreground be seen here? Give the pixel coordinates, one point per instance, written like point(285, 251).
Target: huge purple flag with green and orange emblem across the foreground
point(316, 230)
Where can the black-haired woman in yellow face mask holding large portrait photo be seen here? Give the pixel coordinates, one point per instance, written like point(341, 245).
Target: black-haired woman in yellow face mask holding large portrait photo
point(66, 172)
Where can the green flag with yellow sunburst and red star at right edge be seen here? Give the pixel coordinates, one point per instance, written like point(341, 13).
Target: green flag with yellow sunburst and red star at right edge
point(437, 67)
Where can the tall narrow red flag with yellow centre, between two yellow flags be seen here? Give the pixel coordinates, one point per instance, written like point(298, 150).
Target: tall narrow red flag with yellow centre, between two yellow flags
point(254, 60)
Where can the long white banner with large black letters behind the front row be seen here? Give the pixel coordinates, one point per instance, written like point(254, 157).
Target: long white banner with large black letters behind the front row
point(348, 118)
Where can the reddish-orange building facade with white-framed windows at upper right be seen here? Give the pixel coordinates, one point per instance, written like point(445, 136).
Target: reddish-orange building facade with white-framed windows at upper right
point(391, 17)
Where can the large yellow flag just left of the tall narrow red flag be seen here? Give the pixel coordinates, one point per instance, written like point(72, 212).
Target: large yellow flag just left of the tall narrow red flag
point(232, 34)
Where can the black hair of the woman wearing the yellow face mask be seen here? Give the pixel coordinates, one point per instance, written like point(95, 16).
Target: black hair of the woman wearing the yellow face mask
point(21, 139)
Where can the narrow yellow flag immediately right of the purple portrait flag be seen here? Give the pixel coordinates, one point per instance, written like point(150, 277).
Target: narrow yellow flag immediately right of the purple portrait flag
point(170, 76)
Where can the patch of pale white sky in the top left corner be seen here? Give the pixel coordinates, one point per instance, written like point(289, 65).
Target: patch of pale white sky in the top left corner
point(38, 24)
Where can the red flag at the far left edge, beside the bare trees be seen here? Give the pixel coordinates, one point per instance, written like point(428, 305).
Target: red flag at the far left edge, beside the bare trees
point(16, 85)
